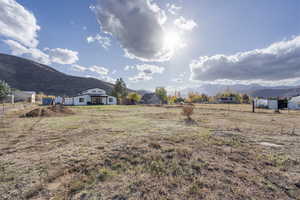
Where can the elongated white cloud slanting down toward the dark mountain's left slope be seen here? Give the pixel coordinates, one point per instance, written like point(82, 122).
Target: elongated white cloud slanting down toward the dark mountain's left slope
point(18, 49)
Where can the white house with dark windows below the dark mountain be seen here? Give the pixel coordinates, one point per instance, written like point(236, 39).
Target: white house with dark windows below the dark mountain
point(94, 96)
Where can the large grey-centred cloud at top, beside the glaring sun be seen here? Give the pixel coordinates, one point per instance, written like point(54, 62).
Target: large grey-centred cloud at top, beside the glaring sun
point(137, 25)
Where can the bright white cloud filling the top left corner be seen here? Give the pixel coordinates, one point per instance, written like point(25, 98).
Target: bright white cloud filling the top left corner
point(18, 23)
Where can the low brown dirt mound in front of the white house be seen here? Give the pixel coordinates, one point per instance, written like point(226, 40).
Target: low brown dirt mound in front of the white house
point(49, 111)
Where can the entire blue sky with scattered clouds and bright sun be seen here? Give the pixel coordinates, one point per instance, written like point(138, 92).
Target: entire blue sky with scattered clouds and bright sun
point(149, 43)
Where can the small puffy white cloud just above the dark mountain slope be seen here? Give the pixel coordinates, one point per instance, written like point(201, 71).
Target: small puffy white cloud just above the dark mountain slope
point(62, 56)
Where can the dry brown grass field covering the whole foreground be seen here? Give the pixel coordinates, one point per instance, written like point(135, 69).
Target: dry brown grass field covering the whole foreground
point(150, 152)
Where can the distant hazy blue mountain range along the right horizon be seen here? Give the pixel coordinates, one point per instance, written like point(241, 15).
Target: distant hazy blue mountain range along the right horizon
point(254, 90)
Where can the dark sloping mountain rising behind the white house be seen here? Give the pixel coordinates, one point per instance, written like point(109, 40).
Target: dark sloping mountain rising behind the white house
point(28, 75)
